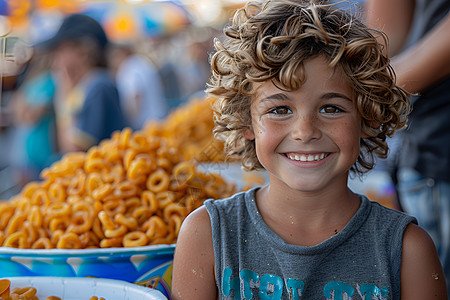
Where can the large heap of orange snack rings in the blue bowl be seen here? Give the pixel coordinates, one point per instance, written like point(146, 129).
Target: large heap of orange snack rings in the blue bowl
point(131, 190)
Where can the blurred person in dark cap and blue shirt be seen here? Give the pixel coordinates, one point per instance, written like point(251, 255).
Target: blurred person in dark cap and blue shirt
point(87, 102)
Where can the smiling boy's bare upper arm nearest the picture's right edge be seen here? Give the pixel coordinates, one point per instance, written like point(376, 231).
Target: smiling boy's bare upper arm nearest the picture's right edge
point(421, 272)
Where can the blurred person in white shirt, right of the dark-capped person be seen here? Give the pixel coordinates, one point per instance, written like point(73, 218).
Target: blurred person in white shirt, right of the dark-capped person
point(139, 85)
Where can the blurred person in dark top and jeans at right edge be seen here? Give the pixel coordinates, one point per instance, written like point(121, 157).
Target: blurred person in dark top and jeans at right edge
point(419, 45)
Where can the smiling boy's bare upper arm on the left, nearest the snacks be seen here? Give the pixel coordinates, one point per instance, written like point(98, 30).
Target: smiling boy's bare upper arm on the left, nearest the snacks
point(193, 269)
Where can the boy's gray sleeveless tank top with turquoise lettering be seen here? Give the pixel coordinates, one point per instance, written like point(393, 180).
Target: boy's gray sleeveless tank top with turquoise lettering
point(252, 262)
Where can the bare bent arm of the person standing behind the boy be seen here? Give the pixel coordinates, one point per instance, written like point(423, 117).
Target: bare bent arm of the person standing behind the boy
point(423, 64)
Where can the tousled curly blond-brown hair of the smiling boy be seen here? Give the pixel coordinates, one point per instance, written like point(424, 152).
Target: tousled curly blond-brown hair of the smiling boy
point(271, 41)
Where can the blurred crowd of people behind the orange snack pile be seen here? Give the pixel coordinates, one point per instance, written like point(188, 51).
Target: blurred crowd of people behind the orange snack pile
point(74, 89)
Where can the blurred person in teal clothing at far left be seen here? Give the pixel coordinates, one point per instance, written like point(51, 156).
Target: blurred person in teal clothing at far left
point(33, 144)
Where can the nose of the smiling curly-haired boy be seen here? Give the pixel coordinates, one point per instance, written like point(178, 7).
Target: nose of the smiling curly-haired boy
point(306, 128)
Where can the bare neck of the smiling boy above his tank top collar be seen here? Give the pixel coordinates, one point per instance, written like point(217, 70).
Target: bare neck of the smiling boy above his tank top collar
point(306, 218)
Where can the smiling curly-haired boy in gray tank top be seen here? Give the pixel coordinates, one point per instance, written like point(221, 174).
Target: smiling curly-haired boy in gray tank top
point(305, 92)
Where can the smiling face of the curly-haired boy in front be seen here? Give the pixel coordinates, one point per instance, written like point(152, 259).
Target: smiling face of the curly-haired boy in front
point(309, 138)
